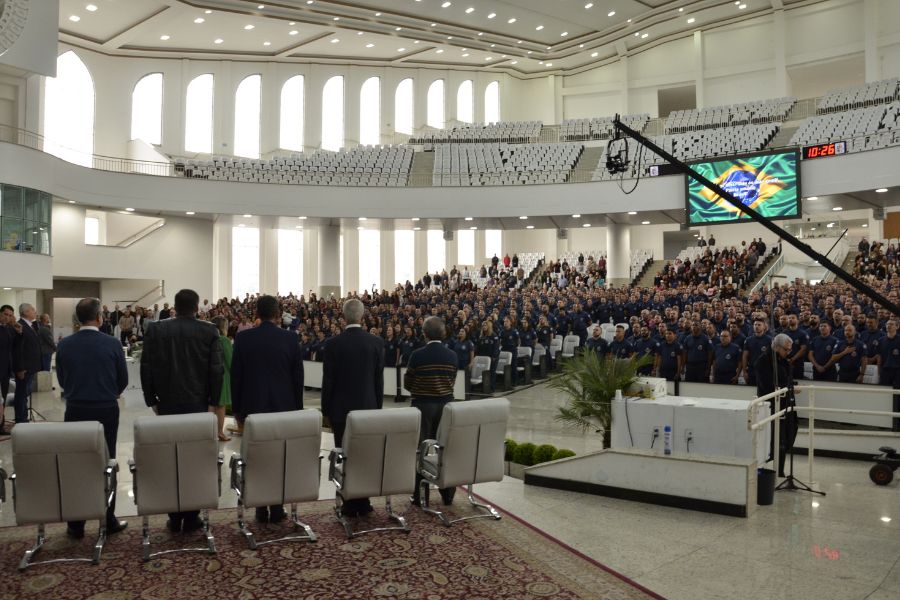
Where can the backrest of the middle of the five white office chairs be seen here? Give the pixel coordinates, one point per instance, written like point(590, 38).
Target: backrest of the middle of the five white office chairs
point(281, 457)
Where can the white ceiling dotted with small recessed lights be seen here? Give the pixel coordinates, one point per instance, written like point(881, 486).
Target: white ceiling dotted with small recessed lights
point(573, 35)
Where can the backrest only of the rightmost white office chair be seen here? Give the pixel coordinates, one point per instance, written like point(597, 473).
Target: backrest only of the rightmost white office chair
point(472, 434)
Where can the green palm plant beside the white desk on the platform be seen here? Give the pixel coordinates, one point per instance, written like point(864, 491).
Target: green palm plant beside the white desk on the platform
point(589, 383)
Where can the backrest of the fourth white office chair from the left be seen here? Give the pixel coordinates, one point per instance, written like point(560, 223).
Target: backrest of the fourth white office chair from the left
point(380, 449)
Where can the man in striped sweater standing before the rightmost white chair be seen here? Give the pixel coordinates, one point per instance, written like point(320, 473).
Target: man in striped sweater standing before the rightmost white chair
point(429, 378)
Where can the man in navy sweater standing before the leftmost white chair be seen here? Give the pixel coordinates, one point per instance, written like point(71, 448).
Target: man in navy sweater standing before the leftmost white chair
point(92, 374)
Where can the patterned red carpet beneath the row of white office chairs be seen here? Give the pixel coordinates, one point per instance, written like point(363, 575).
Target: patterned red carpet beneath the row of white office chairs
point(475, 560)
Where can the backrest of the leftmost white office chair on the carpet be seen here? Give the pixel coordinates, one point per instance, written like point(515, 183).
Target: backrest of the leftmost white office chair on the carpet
point(59, 472)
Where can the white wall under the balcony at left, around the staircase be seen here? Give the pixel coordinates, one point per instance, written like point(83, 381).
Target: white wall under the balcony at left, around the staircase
point(180, 253)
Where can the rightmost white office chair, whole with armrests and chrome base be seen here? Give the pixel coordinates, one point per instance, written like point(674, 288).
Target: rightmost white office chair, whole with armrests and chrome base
point(469, 449)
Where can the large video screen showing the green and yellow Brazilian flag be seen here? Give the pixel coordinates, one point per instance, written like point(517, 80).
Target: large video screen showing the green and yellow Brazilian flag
point(768, 183)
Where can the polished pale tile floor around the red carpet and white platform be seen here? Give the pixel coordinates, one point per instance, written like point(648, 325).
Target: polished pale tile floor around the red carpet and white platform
point(844, 546)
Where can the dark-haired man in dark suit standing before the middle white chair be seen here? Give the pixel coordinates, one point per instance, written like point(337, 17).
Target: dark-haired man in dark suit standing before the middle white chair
point(266, 375)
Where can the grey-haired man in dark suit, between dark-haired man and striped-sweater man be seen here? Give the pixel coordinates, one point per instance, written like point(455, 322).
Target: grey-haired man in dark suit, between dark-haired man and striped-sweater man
point(352, 379)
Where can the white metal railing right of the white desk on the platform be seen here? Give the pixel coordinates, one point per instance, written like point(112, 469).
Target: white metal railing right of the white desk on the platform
point(755, 426)
